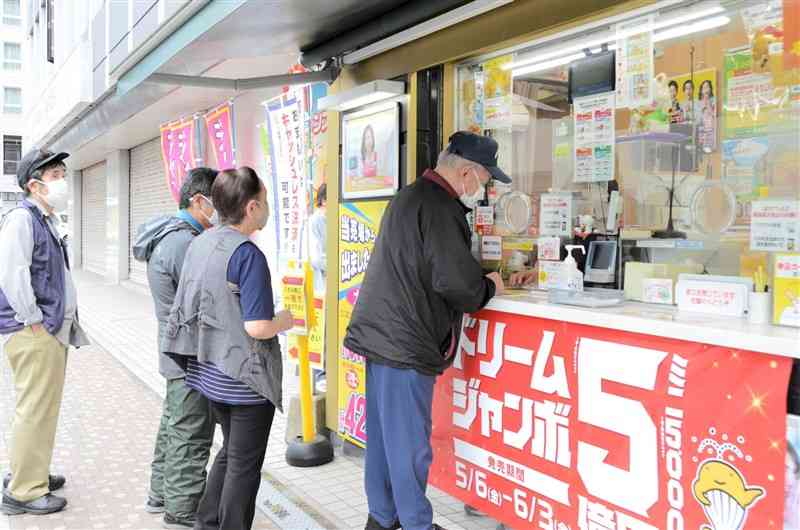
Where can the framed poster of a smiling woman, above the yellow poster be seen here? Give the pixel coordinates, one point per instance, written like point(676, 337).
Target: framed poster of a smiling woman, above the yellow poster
point(371, 152)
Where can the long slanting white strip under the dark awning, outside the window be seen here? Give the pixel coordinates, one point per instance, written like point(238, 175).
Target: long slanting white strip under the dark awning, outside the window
point(445, 20)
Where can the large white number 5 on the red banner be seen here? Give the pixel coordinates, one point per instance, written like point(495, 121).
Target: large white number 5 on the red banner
point(636, 488)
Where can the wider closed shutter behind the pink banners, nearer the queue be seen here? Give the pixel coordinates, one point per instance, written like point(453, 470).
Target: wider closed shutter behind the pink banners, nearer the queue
point(150, 197)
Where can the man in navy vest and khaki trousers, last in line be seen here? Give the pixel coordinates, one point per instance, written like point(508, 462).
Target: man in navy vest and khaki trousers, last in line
point(38, 322)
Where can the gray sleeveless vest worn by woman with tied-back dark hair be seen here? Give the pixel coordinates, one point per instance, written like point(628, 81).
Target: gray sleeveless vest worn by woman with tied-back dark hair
point(206, 318)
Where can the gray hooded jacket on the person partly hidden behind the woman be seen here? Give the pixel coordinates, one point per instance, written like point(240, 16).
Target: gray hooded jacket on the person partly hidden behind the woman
point(163, 243)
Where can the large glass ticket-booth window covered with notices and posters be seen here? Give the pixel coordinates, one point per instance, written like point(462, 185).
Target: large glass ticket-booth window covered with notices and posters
point(691, 113)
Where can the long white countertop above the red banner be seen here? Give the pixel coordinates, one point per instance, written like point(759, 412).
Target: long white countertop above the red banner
point(662, 321)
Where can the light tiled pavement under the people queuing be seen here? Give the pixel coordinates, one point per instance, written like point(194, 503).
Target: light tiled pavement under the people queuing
point(108, 424)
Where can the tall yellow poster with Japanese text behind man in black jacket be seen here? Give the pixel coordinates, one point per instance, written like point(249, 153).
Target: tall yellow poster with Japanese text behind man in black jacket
point(358, 228)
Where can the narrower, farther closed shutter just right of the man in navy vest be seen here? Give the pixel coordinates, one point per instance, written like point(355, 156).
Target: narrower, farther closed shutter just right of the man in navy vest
point(93, 224)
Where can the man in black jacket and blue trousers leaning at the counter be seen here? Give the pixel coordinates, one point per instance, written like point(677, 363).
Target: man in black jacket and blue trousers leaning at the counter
point(420, 281)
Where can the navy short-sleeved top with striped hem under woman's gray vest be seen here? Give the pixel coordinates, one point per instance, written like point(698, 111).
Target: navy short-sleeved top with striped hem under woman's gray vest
point(249, 270)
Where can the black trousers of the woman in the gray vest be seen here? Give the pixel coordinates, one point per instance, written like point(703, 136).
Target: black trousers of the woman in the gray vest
point(229, 502)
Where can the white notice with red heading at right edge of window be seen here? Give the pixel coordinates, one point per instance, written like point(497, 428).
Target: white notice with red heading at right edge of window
point(775, 226)
